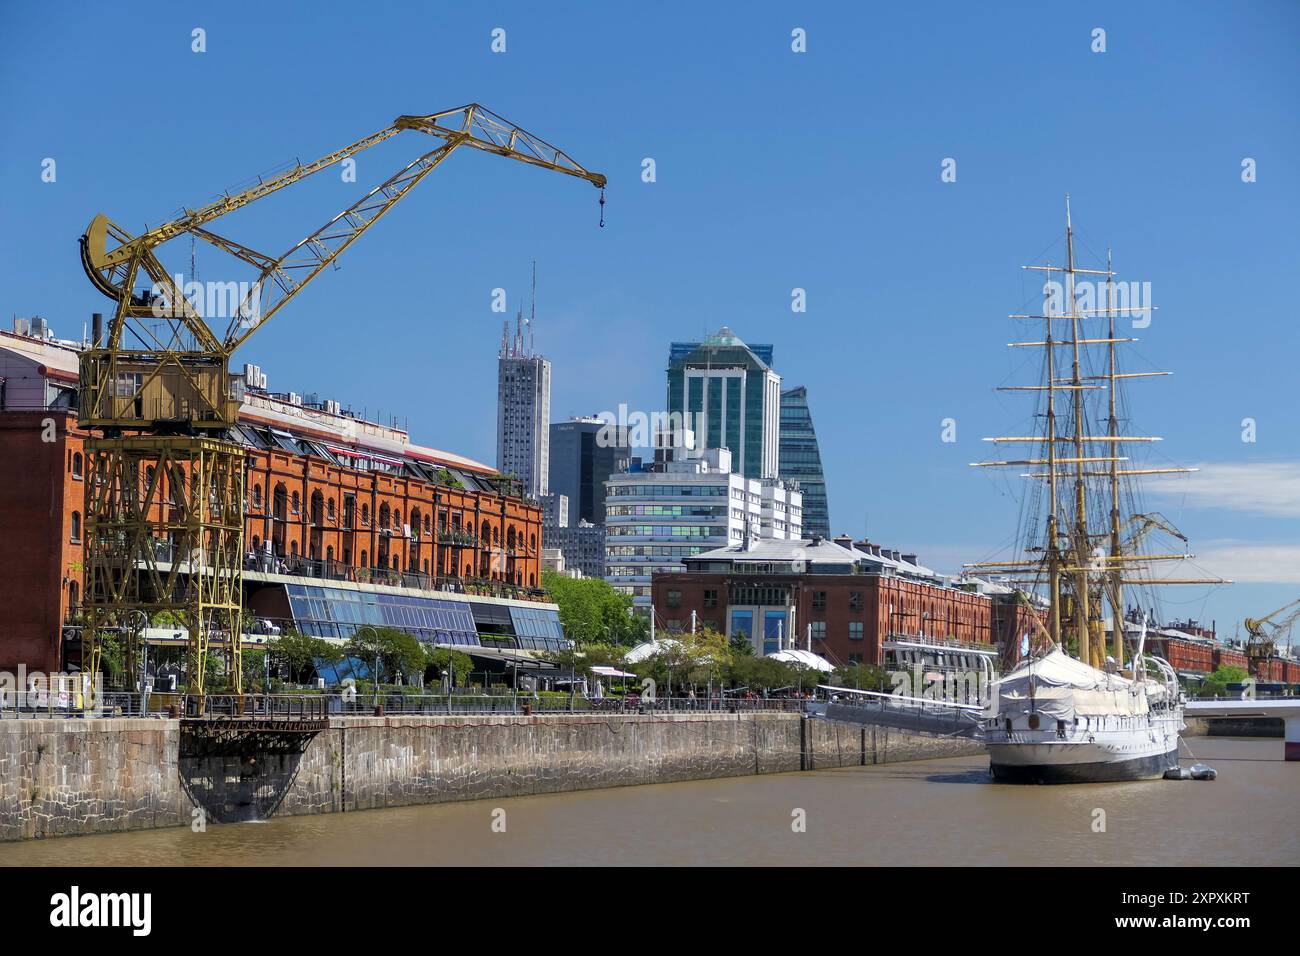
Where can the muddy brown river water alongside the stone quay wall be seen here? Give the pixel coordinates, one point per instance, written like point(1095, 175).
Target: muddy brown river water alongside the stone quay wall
point(939, 812)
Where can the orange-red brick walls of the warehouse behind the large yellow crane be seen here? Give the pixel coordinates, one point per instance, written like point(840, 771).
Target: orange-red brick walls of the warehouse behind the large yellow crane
point(42, 500)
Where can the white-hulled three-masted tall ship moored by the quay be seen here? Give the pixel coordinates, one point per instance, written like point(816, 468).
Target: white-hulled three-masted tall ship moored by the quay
point(1085, 700)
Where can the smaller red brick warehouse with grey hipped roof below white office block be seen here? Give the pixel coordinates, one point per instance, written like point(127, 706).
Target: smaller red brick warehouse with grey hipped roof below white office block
point(846, 600)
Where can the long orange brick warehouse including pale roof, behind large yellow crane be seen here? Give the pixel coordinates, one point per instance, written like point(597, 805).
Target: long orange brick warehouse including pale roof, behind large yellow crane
point(330, 496)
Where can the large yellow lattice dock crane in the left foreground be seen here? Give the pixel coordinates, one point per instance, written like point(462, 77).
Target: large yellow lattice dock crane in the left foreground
point(164, 509)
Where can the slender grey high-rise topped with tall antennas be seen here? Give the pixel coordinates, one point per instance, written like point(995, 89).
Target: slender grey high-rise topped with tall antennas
point(523, 412)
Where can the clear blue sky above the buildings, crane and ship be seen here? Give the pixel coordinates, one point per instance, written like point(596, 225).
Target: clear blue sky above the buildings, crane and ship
point(774, 171)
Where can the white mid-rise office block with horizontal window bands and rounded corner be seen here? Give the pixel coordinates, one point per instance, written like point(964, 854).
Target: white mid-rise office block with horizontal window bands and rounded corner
point(686, 503)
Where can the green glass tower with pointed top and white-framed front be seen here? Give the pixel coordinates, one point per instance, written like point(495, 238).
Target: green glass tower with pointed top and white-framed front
point(730, 396)
